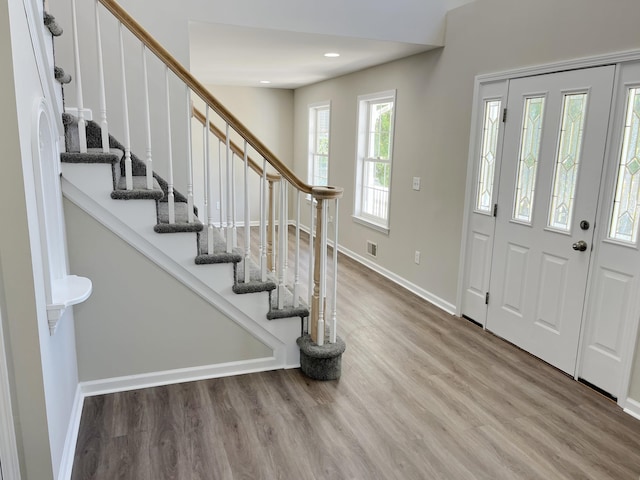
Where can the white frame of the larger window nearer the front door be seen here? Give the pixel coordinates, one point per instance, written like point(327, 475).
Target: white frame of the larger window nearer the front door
point(365, 102)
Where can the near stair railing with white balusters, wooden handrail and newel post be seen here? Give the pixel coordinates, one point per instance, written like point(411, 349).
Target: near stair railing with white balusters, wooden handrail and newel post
point(229, 133)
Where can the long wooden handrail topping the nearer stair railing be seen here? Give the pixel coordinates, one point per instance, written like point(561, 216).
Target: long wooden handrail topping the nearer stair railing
point(183, 74)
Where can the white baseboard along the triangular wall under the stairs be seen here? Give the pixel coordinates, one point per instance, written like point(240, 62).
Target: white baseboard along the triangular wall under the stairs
point(168, 377)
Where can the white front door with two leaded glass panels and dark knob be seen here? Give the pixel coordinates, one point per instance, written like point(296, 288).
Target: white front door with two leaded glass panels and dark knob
point(552, 161)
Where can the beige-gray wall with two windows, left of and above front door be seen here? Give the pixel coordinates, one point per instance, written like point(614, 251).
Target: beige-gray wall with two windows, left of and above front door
point(434, 100)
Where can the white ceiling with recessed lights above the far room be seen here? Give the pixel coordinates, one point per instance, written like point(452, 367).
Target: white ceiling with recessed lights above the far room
point(261, 43)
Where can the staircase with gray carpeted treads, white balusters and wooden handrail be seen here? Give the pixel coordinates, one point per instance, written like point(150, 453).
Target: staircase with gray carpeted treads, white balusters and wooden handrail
point(256, 281)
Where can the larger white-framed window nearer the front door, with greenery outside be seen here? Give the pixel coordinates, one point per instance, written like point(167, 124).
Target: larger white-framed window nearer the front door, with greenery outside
point(374, 159)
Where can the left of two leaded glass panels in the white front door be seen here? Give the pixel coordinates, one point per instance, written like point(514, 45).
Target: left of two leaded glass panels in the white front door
point(528, 158)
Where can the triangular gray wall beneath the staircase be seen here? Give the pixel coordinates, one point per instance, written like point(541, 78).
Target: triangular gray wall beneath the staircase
point(139, 319)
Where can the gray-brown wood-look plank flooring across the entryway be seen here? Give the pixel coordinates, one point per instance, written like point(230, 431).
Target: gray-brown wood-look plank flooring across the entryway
point(423, 395)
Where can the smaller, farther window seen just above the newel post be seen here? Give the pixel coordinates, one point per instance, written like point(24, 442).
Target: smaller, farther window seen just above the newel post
point(319, 121)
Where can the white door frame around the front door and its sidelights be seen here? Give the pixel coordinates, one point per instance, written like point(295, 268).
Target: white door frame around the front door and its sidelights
point(618, 58)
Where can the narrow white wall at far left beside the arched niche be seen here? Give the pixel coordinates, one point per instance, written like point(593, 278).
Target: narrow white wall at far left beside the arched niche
point(43, 367)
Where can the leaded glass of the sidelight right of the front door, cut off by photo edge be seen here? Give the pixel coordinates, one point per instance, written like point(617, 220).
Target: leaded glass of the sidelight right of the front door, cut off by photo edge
point(624, 218)
